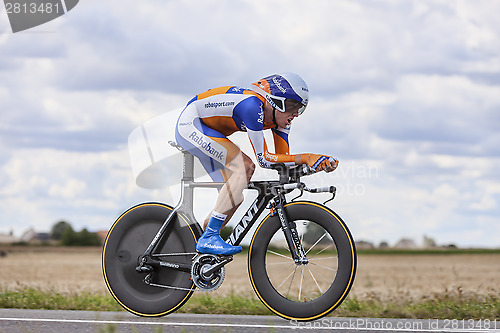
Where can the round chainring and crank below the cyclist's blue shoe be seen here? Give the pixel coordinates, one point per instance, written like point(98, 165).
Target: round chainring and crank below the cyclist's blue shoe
point(206, 282)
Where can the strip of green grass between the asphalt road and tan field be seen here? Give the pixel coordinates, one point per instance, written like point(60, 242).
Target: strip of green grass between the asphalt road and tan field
point(448, 305)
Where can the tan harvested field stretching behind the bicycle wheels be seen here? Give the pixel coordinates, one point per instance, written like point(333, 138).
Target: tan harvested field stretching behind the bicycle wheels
point(381, 278)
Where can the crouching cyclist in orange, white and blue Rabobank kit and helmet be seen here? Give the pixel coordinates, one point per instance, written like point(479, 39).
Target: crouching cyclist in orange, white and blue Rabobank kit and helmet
point(210, 117)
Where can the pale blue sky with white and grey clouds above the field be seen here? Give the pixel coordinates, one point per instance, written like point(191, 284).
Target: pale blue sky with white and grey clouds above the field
point(406, 94)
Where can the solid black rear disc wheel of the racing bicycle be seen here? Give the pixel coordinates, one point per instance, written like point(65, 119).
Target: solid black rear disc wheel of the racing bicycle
point(126, 242)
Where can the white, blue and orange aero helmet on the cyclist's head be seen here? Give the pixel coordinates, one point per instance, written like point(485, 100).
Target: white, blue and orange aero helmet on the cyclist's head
point(279, 87)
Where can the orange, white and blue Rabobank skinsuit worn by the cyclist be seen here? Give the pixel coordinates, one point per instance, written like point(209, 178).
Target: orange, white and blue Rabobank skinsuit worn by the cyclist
point(210, 117)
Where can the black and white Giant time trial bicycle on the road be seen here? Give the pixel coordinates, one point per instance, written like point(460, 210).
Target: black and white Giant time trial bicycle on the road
point(301, 257)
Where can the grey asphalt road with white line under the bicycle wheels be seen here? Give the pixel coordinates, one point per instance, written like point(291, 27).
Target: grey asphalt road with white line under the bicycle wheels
point(49, 321)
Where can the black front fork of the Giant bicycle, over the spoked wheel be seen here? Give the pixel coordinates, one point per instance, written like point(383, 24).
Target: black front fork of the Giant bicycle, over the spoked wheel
point(289, 229)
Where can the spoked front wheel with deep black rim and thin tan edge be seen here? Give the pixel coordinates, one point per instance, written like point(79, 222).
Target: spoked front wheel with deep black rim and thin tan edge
point(273, 279)
